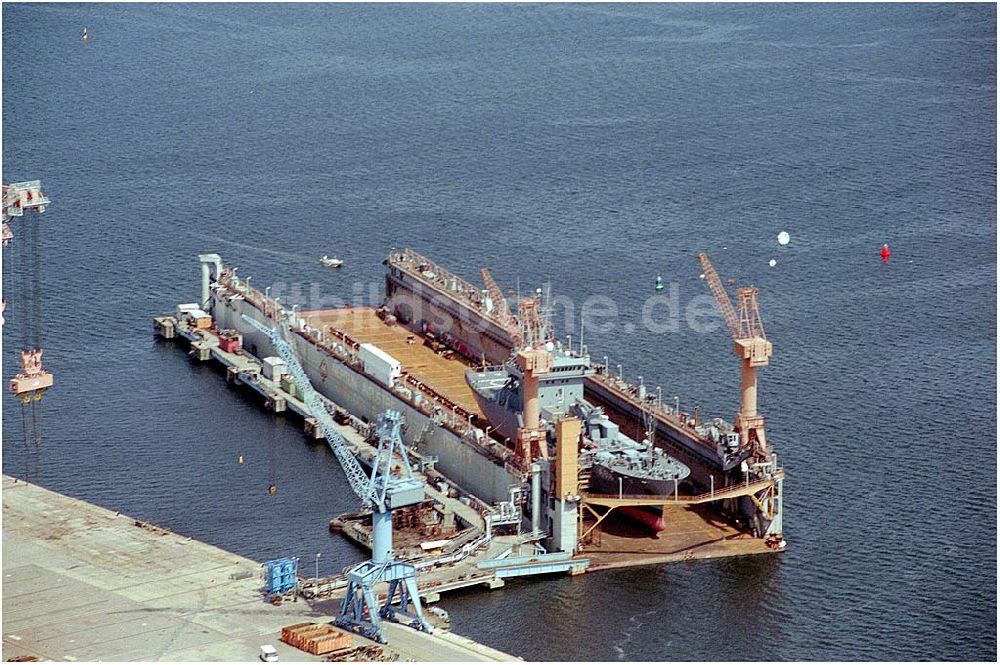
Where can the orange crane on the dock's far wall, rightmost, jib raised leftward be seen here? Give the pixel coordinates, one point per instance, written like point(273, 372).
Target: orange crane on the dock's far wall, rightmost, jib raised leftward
point(751, 346)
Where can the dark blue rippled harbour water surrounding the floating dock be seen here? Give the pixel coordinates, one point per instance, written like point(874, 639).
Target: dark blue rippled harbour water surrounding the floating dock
point(591, 146)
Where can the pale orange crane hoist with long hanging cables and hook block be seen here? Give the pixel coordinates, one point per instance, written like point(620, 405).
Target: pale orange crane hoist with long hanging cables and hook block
point(32, 380)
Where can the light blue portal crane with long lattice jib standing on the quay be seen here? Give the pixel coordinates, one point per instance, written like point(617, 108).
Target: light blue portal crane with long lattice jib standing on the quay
point(381, 492)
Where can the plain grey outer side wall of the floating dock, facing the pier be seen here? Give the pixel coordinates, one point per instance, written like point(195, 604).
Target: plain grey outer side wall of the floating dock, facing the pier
point(365, 398)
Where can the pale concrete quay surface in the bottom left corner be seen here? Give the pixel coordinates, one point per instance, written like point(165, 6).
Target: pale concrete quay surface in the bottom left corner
point(82, 583)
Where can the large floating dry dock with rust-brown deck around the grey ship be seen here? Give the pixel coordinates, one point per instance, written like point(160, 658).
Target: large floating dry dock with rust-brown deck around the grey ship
point(564, 526)
